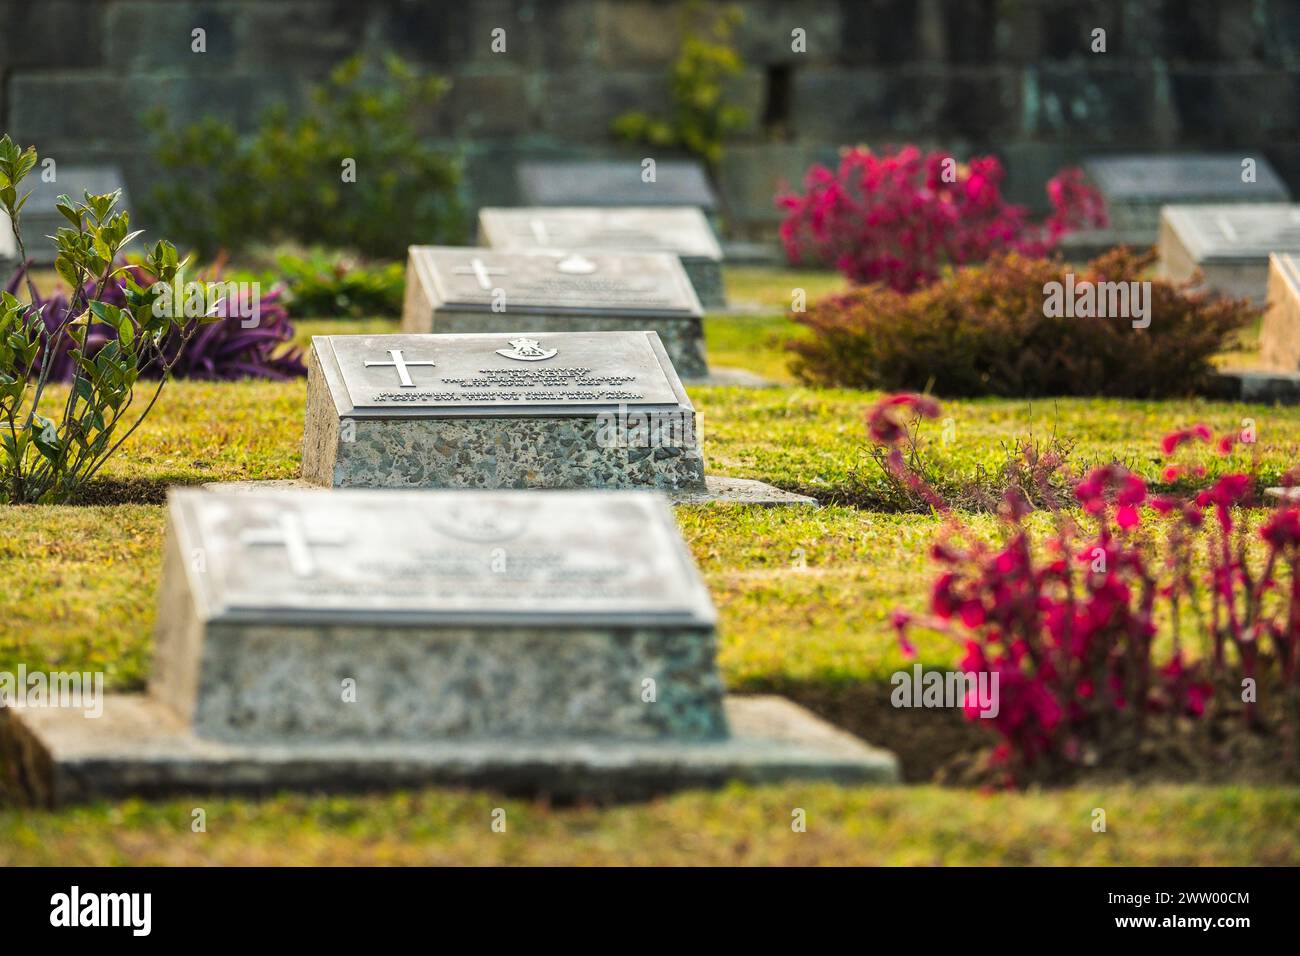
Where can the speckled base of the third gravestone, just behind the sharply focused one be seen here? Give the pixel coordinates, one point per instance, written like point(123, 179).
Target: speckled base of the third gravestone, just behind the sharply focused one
point(683, 339)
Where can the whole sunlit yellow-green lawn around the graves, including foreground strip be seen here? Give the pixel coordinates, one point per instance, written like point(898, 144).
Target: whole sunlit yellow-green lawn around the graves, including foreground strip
point(804, 594)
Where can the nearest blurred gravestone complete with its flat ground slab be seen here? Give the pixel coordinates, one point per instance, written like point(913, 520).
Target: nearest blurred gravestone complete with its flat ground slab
point(544, 642)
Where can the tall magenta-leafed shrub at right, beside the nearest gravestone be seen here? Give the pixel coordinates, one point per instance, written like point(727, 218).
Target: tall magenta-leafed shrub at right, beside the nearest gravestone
point(1069, 626)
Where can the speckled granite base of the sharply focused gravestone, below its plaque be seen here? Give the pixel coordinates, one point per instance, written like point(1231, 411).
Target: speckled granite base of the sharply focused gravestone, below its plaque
point(480, 453)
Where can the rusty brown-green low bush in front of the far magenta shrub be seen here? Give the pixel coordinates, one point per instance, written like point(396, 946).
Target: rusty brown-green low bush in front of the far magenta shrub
point(989, 331)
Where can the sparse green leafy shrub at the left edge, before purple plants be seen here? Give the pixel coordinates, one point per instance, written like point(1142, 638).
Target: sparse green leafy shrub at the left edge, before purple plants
point(50, 460)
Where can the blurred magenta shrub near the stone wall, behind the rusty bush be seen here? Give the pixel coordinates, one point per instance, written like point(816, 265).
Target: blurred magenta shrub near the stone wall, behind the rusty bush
point(900, 218)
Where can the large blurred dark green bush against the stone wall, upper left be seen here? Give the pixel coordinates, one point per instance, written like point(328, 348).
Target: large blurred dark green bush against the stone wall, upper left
point(222, 191)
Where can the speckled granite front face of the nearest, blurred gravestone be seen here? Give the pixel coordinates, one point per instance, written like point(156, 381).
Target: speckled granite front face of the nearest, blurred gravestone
point(280, 685)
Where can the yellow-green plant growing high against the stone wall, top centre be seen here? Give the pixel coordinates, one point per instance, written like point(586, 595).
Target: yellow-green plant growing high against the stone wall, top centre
point(701, 118)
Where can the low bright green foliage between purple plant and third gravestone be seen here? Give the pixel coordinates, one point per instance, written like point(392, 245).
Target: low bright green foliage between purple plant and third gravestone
point(324, 284)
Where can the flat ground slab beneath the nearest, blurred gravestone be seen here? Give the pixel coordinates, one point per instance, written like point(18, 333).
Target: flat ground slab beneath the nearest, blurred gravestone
point(140, 747)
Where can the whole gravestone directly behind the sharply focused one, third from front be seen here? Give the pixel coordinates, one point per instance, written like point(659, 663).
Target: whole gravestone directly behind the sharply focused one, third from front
point(465, 291)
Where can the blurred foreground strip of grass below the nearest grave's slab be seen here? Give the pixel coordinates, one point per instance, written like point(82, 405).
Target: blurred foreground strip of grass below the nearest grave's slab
point(736, 827)
